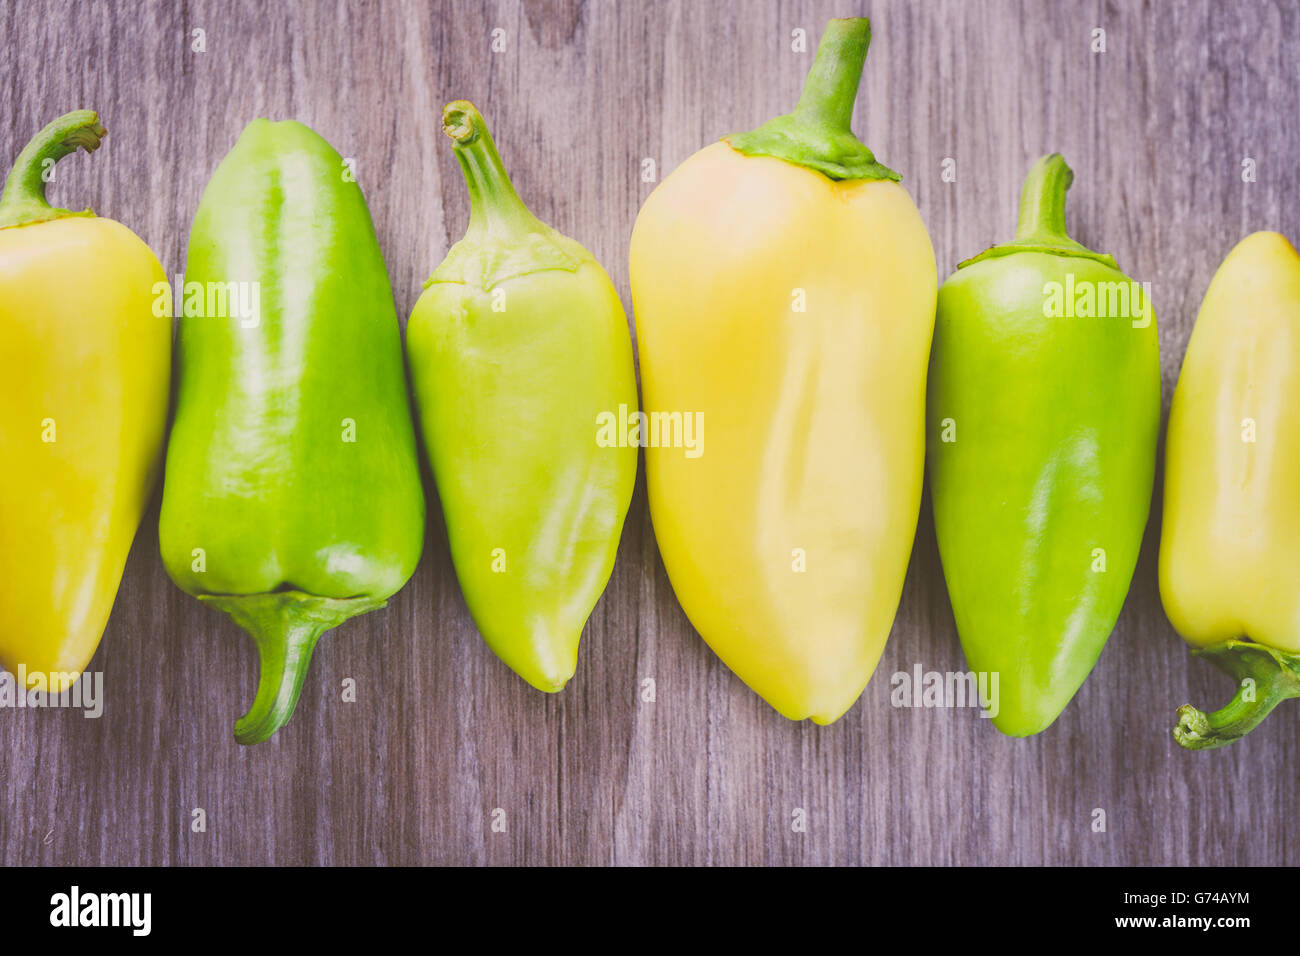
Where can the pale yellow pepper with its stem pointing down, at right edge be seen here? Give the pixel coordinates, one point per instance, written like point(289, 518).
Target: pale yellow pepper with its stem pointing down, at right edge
point(1230, 546)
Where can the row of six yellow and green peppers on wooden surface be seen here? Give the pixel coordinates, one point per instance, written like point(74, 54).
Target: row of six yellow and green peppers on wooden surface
point(785, 289)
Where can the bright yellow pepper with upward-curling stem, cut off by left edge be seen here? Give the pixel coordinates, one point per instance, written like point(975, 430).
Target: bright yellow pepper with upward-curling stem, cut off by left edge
point(85, 364)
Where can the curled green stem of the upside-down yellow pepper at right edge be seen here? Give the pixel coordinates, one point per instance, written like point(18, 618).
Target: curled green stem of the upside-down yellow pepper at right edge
point(1275, 677)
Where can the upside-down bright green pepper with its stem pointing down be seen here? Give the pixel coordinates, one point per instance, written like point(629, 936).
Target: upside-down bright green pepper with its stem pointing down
point(292, 499)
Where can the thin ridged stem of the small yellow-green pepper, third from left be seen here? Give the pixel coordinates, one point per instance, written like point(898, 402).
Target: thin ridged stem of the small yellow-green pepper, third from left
point(495, 206)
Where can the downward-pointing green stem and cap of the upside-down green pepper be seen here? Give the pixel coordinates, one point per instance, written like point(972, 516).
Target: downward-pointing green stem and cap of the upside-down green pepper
point(285, 626)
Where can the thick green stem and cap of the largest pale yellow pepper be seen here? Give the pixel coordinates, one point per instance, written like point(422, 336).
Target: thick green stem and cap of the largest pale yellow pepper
point(817, 135)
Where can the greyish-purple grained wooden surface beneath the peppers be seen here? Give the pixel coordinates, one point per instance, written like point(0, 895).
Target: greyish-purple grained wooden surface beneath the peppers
point(443, 734)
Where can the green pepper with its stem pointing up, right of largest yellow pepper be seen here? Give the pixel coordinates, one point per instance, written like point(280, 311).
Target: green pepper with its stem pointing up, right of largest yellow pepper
point(1043, 419)
